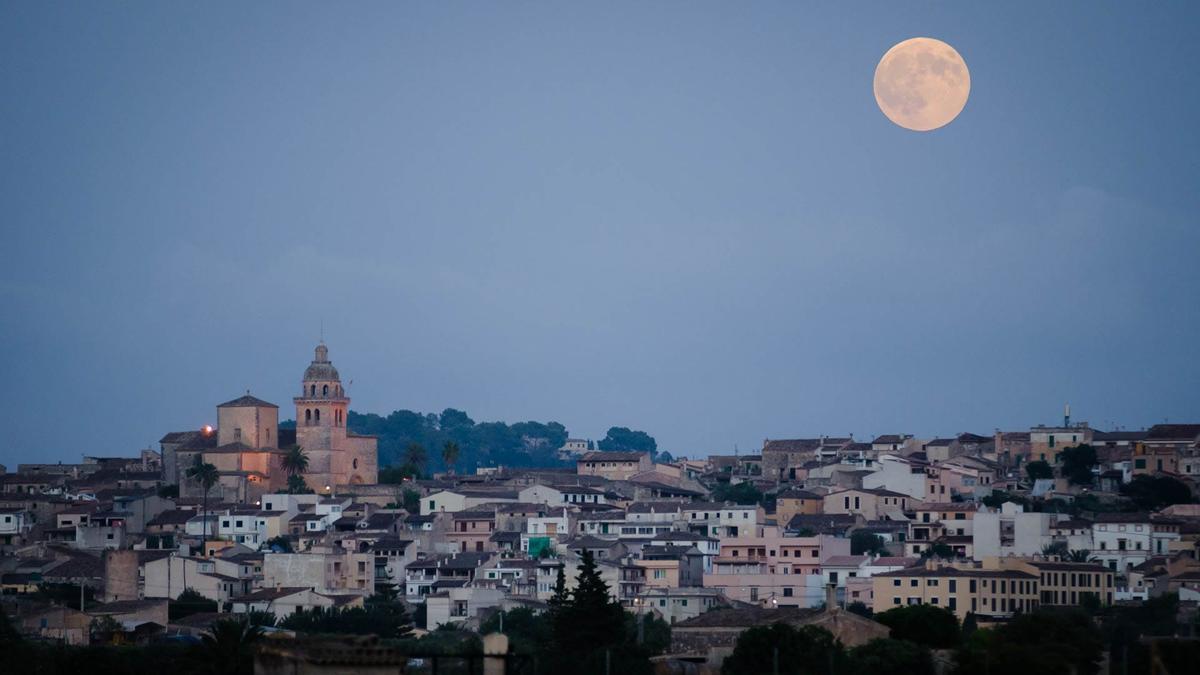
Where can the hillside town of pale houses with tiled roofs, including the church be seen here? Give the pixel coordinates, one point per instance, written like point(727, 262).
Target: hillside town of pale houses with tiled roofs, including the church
point(253, 518)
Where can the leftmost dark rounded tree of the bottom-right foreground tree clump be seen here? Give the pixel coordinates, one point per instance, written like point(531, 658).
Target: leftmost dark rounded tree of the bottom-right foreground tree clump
point(808, 650)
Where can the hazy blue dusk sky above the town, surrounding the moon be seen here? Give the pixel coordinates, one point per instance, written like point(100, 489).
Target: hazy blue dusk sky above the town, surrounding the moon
point(686, 218)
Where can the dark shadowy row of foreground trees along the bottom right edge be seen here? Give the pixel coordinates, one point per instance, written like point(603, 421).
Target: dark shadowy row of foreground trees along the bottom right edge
point(1045, 642)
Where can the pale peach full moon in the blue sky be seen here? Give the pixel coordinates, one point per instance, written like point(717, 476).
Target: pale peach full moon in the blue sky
point(922, 85)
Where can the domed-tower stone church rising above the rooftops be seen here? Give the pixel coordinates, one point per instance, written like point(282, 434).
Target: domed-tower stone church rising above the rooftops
point(248, 445)
